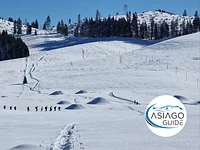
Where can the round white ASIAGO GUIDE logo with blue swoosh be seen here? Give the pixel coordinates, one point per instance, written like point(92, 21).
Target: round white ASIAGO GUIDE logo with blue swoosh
point(165, 116)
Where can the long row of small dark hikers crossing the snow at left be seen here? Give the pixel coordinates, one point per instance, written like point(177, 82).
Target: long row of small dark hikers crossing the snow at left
point(51, 108)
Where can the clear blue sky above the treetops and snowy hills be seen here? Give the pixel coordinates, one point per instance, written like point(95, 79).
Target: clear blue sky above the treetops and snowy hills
point(69, 9)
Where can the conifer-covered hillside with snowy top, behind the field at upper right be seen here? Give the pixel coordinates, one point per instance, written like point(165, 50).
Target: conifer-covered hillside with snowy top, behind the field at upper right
point(150, 25)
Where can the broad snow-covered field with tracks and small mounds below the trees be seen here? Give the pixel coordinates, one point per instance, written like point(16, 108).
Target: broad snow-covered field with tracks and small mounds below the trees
point(108, 74)
